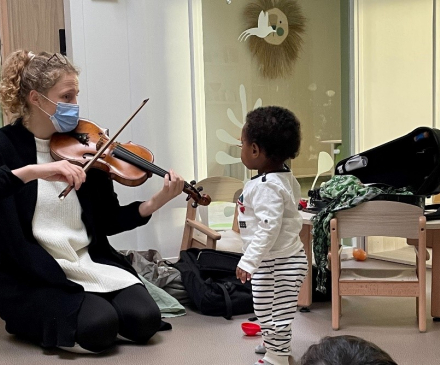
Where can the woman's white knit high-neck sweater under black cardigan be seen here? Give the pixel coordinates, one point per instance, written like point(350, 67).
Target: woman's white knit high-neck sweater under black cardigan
point(58, 228)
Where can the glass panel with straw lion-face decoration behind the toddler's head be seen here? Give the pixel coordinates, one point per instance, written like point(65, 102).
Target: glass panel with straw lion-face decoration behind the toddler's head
point(238, 66)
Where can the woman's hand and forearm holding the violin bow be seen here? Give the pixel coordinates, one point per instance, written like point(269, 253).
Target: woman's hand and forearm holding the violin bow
point(53, 171)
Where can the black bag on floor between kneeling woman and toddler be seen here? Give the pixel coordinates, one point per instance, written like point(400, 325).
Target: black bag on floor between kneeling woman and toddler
point(210, 281)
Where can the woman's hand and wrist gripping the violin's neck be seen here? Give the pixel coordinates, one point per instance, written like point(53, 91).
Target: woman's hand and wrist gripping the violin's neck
point(172, 186)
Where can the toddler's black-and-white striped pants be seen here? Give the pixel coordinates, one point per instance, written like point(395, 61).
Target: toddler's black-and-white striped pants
point(275, 288)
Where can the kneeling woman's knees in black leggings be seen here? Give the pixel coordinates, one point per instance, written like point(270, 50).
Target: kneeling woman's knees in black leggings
point(131, 312)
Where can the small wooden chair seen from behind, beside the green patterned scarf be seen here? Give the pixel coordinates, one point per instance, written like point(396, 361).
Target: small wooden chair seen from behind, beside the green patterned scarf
point(379, 218)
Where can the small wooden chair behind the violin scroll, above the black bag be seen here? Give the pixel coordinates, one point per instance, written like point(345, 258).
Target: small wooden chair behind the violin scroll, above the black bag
point(197, 234)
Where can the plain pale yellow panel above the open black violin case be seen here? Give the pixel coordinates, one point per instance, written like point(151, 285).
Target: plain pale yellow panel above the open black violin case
point(395, 69)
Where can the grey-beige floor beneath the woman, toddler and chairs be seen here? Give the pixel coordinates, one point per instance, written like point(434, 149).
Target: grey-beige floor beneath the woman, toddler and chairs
point(198, 340)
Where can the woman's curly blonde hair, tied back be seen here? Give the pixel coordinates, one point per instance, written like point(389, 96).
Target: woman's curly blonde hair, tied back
point(24, 71)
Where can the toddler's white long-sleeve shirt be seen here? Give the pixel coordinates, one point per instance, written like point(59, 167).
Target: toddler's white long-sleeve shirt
point(269, 219)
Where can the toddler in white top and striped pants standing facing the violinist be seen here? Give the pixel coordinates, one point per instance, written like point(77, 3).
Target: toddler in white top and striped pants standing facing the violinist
point(270, 223)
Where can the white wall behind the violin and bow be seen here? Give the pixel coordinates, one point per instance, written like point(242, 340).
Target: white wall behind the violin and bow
point(128, 51)
